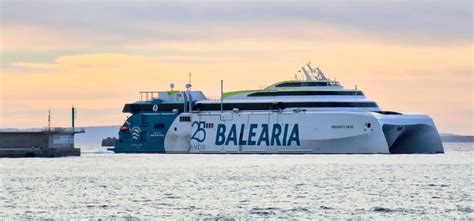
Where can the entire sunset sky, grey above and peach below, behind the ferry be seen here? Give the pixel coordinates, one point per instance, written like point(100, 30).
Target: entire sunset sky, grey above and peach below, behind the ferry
point(409, 56)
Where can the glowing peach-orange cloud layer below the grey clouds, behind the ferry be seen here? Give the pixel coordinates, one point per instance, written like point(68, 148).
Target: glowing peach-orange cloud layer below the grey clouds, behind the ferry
point(433, 80)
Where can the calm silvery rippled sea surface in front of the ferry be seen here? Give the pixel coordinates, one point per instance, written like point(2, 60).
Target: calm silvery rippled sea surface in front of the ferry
point(100, 184)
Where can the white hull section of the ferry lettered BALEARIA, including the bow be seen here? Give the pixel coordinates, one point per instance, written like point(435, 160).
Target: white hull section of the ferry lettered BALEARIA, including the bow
point(312, 132)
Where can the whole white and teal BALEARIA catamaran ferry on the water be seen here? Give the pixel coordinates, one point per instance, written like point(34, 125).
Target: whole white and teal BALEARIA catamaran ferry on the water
point(312, 116)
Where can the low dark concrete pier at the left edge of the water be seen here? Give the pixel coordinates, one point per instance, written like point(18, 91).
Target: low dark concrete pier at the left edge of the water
point(47, 142)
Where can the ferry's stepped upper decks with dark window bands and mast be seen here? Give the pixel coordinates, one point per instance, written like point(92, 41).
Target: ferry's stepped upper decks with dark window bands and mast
point(316, 91)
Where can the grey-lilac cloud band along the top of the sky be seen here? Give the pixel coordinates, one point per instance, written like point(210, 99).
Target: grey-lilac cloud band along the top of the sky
point(396, 21)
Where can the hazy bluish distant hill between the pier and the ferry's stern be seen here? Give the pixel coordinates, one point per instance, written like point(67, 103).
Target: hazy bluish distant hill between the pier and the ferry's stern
point(94, 135)
